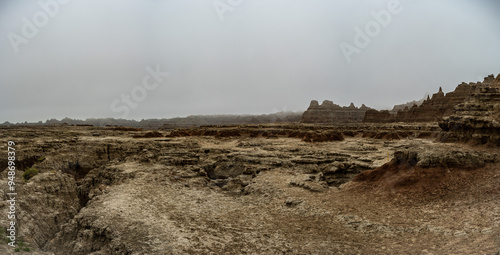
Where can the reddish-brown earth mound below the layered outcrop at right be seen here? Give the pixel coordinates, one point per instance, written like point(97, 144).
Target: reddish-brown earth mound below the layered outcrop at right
point(425, 171)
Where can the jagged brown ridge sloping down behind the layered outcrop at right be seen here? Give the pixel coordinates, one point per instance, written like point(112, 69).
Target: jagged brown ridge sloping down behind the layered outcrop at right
point(433, 108)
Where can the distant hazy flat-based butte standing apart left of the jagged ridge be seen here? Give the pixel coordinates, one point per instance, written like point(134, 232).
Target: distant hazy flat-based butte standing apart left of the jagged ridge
point(330, 113)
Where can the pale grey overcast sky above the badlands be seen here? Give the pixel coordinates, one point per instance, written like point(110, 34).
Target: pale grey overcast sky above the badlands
point(139, 59)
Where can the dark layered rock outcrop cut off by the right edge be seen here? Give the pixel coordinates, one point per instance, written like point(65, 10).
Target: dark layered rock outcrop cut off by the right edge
point(477, 119)
